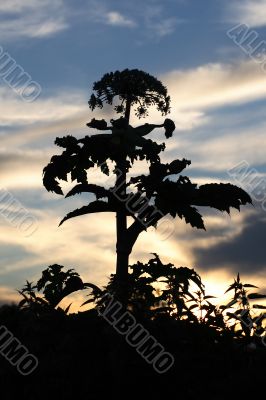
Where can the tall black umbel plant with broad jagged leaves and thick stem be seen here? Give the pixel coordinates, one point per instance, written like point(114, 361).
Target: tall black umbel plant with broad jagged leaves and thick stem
point(146, 198)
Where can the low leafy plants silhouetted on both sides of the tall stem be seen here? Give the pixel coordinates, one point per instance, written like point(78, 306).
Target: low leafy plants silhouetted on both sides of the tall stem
point(157, 290)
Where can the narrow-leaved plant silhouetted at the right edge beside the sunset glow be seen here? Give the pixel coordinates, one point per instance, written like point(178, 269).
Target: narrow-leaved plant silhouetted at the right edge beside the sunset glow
point(242, 312)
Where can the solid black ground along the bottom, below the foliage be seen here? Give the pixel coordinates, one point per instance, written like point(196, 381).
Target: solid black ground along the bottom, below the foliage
point(81, 356)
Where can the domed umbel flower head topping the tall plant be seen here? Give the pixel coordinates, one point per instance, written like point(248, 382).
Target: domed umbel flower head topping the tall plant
point(134, 86)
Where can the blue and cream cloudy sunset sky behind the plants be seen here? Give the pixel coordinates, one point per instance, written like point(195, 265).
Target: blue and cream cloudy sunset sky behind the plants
point(216, 78)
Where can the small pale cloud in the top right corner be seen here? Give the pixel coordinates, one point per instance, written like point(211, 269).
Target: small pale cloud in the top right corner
point(249, 12)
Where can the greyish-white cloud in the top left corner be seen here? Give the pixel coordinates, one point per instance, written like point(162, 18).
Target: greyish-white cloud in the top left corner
point(33, 19)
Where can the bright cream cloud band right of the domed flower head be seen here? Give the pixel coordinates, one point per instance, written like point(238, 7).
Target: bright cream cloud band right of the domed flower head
point(216, 85)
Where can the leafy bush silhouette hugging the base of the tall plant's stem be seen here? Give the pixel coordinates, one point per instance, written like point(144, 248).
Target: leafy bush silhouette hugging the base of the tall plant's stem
point(154, 288)
